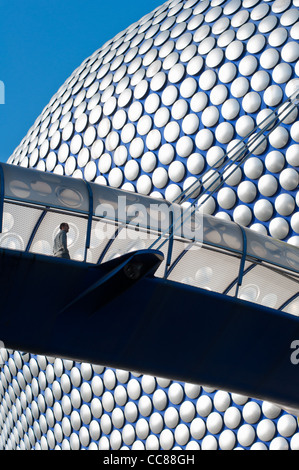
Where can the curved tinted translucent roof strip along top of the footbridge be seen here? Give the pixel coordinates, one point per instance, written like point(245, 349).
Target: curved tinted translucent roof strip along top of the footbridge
point(91, 200)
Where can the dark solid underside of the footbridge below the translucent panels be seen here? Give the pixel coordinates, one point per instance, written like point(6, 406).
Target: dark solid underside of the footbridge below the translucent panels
point(120, 315)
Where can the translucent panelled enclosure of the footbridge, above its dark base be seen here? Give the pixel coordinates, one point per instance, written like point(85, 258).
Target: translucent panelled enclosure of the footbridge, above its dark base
point(105, 223)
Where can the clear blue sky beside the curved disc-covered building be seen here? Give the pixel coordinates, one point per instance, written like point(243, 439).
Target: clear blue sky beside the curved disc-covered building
point(42, 43)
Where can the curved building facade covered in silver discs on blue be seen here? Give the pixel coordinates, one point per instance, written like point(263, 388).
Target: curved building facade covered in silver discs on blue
point(151, 111)
